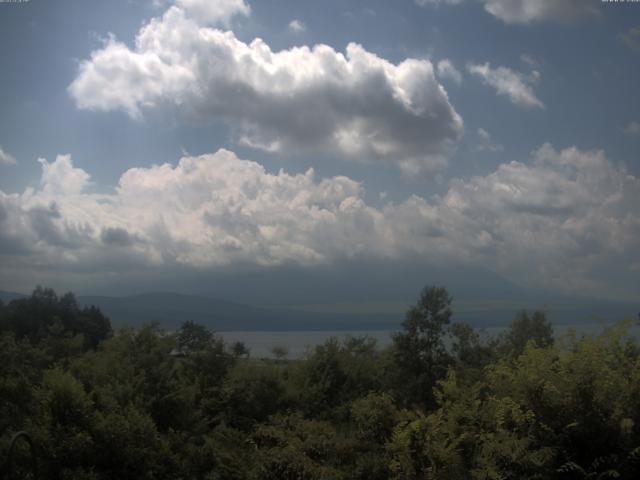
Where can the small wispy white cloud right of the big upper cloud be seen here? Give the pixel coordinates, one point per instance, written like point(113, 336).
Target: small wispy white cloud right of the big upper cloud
point(517, 87)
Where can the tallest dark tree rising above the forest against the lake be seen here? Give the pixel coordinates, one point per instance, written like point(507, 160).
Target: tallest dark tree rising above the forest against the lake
point(419, 350)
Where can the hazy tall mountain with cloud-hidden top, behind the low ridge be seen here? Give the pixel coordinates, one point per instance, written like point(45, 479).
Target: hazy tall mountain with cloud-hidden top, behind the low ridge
point(358, 281)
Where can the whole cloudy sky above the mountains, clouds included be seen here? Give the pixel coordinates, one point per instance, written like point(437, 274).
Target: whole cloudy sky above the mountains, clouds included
point(190, 139)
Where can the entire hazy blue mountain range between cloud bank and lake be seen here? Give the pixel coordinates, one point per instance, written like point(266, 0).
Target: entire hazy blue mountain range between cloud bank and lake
point(366, 296)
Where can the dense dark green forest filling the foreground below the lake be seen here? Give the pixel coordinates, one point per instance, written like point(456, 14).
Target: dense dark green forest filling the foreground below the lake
point(441, 402)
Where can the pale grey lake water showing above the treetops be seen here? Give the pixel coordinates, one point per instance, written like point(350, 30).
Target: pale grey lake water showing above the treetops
point(298, 342)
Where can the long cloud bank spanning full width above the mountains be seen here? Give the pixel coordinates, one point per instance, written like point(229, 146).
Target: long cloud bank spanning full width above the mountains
point(559, 220)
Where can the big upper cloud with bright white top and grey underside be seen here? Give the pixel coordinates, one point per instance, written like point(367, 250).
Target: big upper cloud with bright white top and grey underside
point(355, 104)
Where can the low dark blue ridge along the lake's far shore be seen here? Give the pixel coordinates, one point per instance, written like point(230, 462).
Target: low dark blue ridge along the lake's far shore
point(172, 309)
